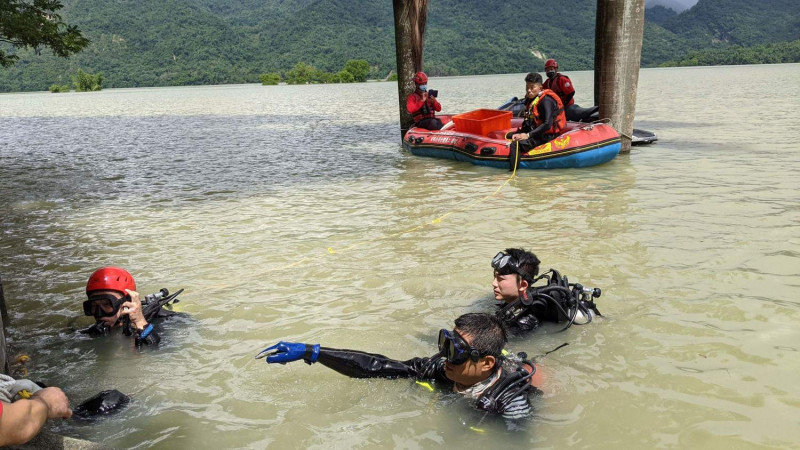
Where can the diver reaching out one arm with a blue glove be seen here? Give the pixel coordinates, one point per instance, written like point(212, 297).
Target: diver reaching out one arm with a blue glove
point(469, 362)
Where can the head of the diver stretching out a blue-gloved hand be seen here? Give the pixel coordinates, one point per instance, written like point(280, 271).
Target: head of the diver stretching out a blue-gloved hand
point(473, 348)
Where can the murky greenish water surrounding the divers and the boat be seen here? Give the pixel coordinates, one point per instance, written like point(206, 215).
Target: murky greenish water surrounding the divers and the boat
point(236, 192)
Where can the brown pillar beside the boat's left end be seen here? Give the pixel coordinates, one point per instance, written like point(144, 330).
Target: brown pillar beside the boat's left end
point(409, 32)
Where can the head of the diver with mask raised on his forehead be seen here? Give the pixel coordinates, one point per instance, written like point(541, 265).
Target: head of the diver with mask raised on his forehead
point(514, 271)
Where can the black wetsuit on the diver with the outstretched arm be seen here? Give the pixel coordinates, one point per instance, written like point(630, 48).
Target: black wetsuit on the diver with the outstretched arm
point(504, 393)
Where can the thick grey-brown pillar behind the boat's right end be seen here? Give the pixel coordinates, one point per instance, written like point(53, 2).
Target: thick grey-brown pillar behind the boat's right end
point(617, 57)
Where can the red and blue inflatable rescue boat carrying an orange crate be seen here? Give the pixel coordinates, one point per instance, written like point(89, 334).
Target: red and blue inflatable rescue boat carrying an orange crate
point(479, 137)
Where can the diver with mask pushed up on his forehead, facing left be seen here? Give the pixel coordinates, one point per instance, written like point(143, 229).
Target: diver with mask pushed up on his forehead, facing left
point(523, 306)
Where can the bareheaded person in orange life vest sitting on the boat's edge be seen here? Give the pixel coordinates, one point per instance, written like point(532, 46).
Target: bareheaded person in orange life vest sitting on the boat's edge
point(544, 116)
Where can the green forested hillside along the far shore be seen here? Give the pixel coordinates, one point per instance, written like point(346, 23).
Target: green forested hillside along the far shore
point(176, 42)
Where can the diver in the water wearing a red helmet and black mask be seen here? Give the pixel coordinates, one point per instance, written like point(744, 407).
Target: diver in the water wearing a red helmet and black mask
point(114, 303)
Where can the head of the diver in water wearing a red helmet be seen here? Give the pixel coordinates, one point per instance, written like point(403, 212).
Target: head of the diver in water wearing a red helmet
point(106, 292)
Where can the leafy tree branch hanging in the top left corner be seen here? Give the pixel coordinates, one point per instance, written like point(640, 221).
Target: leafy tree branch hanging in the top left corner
point(35, 24)
